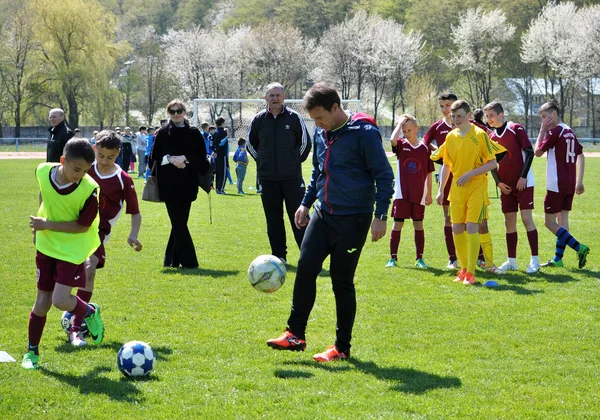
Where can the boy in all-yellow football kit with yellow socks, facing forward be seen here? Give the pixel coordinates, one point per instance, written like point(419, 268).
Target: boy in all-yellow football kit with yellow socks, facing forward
point(468, 154)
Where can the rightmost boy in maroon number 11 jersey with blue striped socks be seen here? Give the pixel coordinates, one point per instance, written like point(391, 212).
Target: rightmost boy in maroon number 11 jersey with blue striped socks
point(564, 177)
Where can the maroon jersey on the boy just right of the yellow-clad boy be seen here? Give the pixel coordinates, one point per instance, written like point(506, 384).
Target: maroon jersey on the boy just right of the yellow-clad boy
point(515, 140)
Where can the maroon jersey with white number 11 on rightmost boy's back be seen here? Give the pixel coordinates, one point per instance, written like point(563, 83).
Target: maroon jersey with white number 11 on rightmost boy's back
point(562, 148)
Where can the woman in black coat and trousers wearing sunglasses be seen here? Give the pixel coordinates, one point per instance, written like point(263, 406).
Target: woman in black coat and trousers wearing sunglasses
point(180, 156)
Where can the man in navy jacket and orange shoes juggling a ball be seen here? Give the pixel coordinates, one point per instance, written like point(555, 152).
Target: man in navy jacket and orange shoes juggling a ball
point(351, 173)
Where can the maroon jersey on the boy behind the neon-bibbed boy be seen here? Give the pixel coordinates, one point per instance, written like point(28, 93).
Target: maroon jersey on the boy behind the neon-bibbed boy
point(115, 189)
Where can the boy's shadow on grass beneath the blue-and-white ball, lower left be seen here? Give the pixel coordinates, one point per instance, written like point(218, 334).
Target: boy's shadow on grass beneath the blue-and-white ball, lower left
point(94, 382)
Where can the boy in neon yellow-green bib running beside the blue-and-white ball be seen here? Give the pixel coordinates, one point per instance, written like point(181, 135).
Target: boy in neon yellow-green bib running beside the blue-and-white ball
point(65, 235)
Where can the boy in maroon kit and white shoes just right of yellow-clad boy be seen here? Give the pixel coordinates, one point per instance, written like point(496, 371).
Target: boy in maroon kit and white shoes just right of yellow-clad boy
point(516, 184)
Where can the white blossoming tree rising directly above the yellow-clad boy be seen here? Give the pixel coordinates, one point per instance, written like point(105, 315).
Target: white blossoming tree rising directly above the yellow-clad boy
point(478, 39)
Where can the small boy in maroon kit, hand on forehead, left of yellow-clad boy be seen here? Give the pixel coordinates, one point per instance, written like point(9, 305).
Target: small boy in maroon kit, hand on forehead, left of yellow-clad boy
point(413, 186)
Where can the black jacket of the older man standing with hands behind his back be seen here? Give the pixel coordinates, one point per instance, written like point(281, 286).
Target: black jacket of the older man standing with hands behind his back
point(279, 145)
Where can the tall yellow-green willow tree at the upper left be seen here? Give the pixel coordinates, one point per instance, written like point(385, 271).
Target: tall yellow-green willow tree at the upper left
point(77, 46)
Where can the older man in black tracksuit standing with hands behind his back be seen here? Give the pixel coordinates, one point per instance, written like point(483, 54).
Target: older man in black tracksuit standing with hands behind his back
point(279, 142)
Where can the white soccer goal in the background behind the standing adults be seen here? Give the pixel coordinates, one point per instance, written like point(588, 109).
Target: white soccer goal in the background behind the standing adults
point(238, 113)
